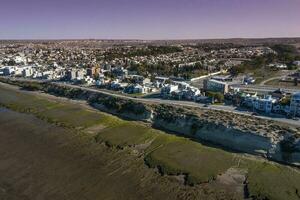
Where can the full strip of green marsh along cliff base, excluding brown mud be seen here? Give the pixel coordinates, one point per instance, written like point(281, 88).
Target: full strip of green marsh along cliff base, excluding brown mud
point(171, 154)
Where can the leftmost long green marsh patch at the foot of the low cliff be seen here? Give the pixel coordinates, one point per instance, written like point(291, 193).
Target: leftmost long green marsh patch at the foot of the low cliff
point(53, 111)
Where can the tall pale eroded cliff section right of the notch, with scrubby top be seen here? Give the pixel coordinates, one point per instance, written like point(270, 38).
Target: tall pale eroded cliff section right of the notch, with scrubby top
point(274, 142)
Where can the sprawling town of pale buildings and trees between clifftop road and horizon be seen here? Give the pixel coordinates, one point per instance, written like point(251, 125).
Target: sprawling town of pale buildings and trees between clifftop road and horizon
point(259, 78)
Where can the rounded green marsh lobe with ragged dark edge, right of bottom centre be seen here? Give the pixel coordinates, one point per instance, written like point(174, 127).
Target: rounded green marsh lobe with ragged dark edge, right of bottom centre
point(181, 156)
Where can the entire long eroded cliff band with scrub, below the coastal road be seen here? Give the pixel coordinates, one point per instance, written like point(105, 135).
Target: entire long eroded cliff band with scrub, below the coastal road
point(248, 134)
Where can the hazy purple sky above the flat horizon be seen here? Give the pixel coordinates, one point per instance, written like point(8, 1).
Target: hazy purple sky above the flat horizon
point(148, 19)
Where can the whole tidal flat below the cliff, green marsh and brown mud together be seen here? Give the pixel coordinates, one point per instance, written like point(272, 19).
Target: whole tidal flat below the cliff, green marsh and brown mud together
point(54, 149)
